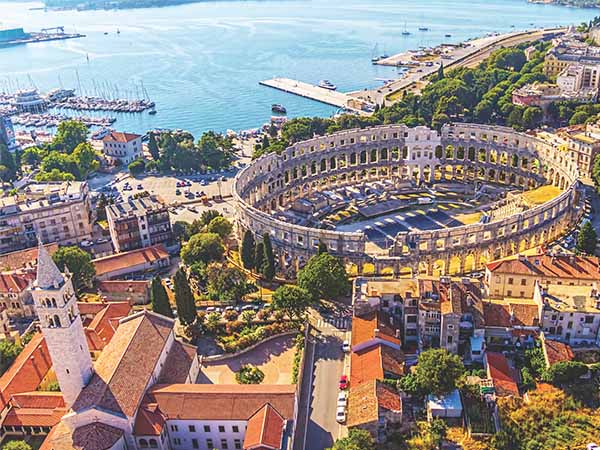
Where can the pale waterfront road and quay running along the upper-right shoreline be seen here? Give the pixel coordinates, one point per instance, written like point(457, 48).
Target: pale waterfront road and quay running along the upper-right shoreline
point(476, 51)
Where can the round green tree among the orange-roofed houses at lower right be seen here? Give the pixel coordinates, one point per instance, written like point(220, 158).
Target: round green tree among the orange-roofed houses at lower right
point(437, 370)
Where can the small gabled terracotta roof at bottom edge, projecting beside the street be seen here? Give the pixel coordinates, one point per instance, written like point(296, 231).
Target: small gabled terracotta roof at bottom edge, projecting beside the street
point(264, 429)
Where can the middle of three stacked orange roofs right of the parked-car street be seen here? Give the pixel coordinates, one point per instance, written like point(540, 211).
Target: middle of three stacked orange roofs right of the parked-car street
point(372, 363)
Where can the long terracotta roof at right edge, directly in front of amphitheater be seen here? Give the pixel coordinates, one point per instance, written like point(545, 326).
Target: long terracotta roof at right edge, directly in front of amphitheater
point(558, 266)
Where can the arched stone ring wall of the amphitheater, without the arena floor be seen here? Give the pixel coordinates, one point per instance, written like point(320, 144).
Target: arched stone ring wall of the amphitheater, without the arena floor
point(463, 152)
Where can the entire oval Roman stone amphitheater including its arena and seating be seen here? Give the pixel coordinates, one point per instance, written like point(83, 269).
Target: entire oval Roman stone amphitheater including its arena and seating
point(383, 198)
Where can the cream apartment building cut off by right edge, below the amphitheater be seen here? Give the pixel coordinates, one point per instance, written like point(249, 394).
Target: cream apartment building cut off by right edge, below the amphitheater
point(569, 314)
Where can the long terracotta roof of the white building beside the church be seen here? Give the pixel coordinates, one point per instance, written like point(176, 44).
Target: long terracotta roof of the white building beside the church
point(222, 401)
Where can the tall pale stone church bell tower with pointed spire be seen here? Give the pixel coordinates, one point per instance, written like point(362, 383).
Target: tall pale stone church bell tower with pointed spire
point(56, 307)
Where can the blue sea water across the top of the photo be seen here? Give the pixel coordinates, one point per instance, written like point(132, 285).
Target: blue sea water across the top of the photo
point(201, 63)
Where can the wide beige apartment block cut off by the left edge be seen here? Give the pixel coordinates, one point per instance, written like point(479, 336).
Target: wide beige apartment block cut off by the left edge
point(55, 212)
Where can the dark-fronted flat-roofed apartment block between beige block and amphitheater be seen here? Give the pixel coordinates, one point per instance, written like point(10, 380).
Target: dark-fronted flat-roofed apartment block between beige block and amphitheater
point(139, 222)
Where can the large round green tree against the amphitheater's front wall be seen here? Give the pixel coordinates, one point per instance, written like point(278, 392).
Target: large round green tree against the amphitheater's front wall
point(324, 276)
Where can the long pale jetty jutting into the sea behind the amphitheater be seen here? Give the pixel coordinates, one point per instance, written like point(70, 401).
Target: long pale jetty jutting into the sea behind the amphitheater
point(320, 94)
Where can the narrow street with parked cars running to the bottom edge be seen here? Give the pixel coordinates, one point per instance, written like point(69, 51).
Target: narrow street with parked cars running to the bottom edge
point(320, 398)
